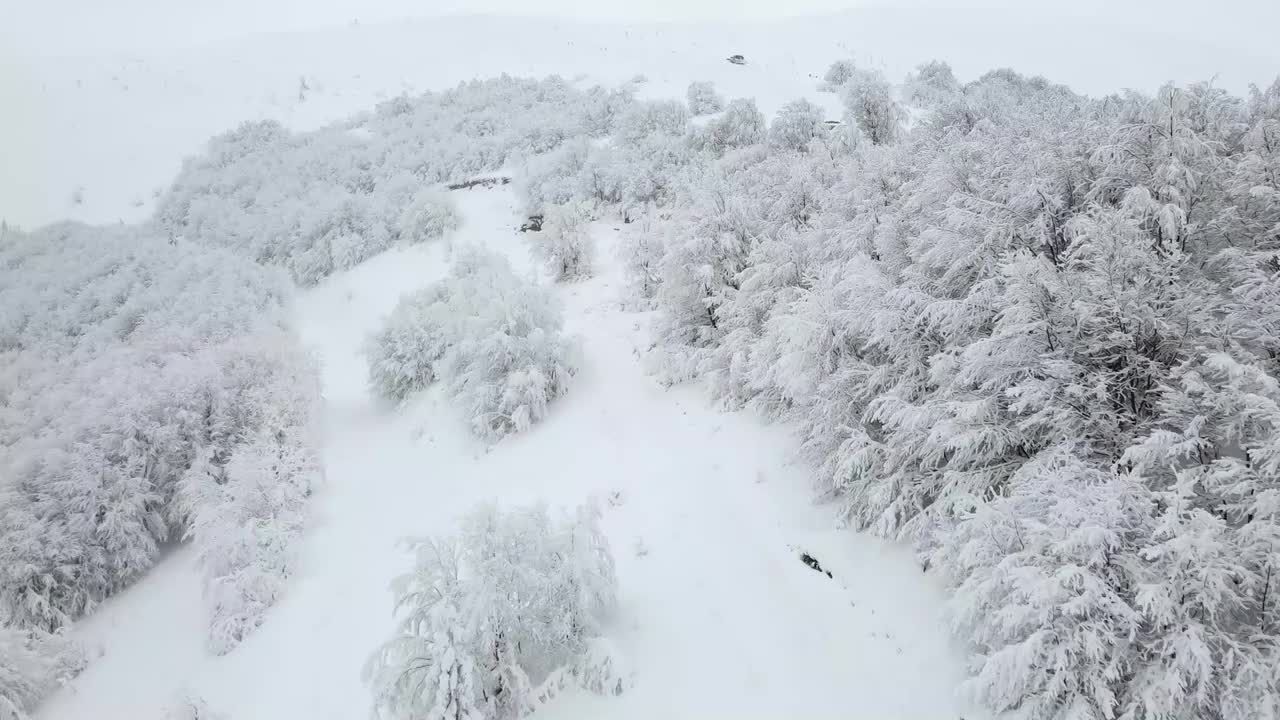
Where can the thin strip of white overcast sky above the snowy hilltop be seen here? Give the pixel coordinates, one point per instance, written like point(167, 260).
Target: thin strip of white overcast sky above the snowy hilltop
point(57, 28)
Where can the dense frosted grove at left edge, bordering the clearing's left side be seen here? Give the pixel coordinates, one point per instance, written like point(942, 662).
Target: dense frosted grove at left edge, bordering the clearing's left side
point(152, 393)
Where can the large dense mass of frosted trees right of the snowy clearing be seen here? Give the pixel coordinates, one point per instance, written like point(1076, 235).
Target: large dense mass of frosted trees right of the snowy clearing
point(1034, 334)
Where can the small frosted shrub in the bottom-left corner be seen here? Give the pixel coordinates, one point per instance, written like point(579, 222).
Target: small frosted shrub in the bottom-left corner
point(33, 664)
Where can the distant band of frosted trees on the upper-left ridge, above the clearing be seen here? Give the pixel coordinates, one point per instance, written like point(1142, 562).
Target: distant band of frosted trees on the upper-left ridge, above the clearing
point(322, 202)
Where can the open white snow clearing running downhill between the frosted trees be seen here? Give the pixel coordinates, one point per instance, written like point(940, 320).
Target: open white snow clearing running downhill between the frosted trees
point(707, 518)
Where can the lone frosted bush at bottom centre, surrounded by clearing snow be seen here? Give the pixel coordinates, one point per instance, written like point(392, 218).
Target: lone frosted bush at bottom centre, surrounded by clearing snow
point(496, 619)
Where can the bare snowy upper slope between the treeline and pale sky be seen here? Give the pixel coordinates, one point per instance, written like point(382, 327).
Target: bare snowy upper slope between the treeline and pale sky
point(117, 126)
